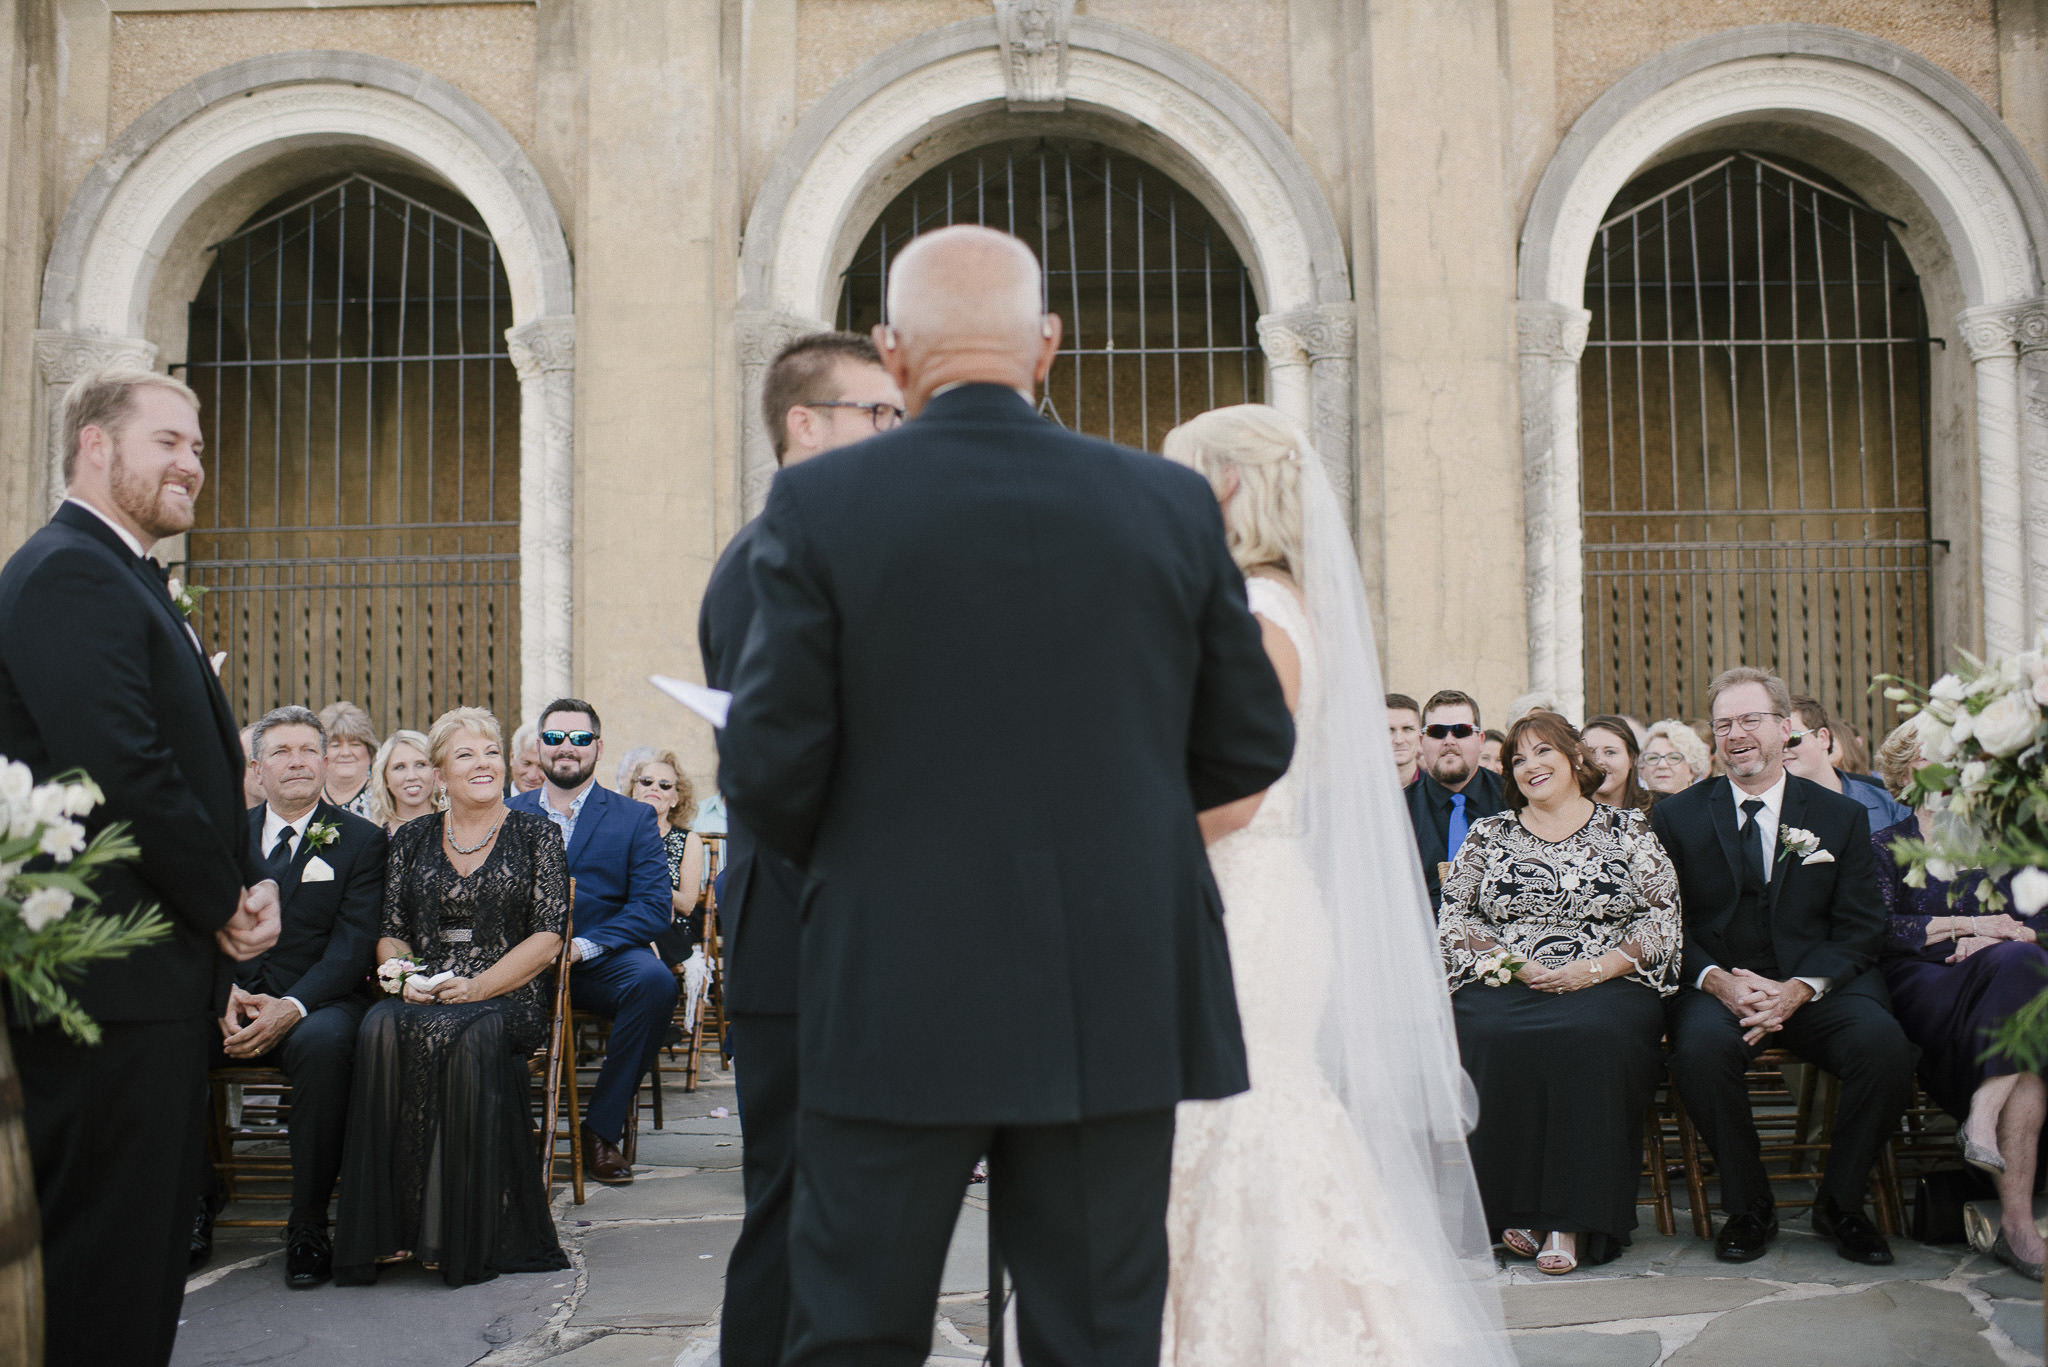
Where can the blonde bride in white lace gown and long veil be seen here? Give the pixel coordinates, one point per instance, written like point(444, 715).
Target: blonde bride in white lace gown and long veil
point(1330, 1214)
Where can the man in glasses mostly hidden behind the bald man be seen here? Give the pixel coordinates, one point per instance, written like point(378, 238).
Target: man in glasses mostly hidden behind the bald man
point(822, 392)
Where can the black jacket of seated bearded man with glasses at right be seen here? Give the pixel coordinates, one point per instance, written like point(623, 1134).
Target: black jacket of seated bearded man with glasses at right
point(1828, 919)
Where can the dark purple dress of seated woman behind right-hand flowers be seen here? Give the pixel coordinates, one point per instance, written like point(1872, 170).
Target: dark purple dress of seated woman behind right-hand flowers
point(1951, 1009)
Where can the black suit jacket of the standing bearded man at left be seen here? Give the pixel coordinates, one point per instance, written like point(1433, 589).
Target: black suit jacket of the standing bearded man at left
point(99, 673)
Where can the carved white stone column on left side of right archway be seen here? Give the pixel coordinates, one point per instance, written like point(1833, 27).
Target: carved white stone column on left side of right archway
point(1549, 341)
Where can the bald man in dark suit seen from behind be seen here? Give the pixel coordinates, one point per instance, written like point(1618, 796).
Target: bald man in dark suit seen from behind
point(994, 675)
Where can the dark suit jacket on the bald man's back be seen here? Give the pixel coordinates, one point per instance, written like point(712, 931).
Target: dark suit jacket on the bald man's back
point(994, 673)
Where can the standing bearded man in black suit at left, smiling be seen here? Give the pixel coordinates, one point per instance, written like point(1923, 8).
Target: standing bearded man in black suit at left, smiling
point(99, 671)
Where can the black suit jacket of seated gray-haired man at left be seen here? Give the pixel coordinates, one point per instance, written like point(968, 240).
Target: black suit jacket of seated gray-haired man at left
point(327, 942)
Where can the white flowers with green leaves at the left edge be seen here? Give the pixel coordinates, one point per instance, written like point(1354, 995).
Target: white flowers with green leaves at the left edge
point(48, 929)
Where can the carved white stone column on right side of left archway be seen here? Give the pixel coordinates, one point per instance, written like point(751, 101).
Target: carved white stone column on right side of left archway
point(544, 354)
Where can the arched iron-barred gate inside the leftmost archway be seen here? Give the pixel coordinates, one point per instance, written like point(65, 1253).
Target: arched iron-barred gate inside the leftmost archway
point(359, 528)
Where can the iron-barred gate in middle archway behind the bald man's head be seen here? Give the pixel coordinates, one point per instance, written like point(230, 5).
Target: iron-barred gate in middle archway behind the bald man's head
point(1117, 241)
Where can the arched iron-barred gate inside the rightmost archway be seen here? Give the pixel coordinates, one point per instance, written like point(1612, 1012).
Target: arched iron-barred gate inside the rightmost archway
point(1754, 405)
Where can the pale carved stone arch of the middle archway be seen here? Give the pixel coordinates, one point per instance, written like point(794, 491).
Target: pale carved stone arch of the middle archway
point(933, 93)
